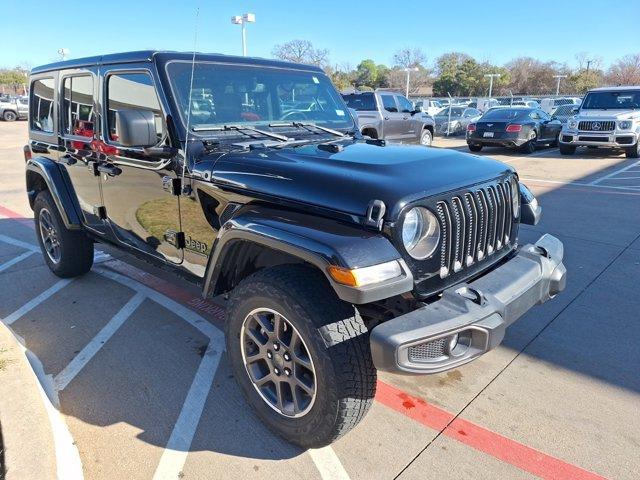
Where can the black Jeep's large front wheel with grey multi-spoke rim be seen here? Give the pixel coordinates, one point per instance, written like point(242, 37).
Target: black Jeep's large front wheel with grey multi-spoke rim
point(300, 355)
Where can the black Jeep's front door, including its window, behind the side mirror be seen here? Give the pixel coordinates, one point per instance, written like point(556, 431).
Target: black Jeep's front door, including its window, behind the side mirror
point(141, 213)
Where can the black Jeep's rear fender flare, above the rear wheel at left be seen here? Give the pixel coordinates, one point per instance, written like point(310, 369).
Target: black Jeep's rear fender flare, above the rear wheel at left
point(57, 183)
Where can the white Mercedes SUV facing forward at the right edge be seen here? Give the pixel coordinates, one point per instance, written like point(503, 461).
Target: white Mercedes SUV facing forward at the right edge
point(608, 117)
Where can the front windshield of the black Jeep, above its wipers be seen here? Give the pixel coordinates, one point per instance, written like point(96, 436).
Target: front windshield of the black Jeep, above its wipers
point(224, 95)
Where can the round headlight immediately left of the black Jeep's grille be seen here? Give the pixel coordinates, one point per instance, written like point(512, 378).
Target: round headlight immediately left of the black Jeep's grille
point(420, 233)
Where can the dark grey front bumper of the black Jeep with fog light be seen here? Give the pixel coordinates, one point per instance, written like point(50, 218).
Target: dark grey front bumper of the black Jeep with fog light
point(470, 318)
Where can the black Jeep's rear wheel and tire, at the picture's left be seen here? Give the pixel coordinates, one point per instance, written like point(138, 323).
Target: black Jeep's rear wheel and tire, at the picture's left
point(67, 253)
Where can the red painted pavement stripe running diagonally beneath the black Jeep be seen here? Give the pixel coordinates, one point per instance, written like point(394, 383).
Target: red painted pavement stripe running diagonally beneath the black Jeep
point(479, 438)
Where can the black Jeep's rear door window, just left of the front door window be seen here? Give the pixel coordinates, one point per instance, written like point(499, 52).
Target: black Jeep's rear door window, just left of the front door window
point(77, 106)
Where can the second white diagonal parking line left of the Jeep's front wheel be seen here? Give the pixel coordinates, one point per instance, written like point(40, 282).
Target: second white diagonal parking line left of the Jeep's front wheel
point(80, 361)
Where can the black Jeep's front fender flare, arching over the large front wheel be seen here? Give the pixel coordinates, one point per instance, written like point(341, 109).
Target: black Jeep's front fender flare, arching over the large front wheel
point(318, 241)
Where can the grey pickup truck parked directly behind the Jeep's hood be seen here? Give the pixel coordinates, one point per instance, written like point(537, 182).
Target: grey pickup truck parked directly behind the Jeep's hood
point(390, 116)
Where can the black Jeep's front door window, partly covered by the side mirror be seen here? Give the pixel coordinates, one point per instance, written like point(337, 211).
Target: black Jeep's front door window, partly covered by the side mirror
point(131, 91)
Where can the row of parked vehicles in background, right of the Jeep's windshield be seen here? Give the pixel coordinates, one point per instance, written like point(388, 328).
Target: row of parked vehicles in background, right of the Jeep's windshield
point(608, 117)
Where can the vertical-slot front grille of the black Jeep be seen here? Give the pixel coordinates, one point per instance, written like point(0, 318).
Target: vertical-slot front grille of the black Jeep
point(474, 225)
